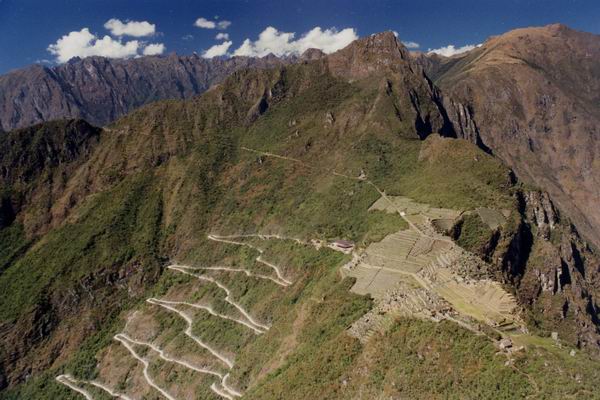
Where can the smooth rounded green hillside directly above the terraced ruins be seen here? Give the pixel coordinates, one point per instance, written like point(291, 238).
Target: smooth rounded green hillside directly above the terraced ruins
point(442, 172)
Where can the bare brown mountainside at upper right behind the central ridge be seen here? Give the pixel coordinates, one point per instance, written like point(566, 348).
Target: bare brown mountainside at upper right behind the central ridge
point(531, 97)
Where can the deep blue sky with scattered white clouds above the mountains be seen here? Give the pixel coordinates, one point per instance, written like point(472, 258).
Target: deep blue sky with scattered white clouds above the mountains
point(52, 31)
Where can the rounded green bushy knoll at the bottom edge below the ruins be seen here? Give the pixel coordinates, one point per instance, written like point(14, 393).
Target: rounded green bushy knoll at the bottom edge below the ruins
point(425, 360)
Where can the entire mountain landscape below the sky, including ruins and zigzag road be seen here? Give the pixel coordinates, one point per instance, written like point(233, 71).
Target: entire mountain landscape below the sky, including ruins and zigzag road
point(149, 235)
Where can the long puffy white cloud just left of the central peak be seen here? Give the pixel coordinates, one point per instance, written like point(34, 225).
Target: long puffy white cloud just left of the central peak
point(282, 43)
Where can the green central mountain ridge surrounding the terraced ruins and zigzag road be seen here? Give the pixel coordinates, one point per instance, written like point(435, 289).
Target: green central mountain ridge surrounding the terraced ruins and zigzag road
point(302, 152)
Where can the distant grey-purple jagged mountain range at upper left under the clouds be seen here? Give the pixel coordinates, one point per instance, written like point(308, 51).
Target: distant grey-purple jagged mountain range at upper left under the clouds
point(100, 89)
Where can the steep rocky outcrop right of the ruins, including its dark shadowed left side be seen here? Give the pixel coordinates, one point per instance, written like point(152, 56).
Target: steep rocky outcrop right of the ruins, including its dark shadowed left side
point(554, 273)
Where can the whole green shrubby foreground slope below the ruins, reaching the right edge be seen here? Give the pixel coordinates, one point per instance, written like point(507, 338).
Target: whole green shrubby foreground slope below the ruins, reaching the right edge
point(425, 360)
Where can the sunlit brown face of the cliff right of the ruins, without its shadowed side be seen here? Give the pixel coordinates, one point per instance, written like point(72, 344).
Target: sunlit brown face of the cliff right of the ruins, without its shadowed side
point(562, 279)
